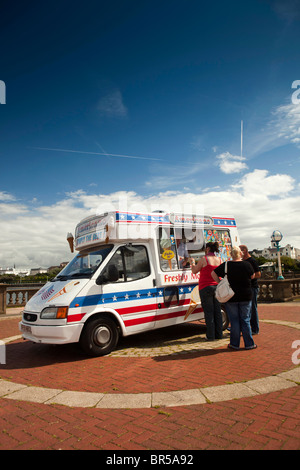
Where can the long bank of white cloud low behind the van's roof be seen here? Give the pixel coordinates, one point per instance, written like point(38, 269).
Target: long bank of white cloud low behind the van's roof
point(261, 202)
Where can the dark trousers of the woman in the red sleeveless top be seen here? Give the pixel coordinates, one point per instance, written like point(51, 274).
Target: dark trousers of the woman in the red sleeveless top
point(212, 313)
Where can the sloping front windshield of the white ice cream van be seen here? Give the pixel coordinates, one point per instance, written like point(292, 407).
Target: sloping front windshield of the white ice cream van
point(84, 264)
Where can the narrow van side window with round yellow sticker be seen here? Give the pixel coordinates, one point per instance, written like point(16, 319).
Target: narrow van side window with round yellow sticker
point(167, 249)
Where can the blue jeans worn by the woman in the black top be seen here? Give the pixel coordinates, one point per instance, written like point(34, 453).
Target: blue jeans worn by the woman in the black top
point(239, 314)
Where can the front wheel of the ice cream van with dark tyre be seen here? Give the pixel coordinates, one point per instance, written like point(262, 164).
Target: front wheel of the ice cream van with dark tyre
point(99, 337)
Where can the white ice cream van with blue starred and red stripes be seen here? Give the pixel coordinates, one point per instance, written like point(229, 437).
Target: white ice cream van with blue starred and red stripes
point(130, 275)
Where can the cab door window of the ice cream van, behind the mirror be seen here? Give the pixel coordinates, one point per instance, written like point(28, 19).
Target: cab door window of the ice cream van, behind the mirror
point(132, 263)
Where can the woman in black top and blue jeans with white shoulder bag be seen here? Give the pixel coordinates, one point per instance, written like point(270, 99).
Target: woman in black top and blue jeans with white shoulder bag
point(238, 308)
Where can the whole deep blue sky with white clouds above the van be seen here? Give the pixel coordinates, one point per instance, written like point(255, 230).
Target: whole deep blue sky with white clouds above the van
point(89, 85)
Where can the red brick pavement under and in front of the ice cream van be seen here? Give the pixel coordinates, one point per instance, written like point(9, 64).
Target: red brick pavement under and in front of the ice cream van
point(264, 421)
